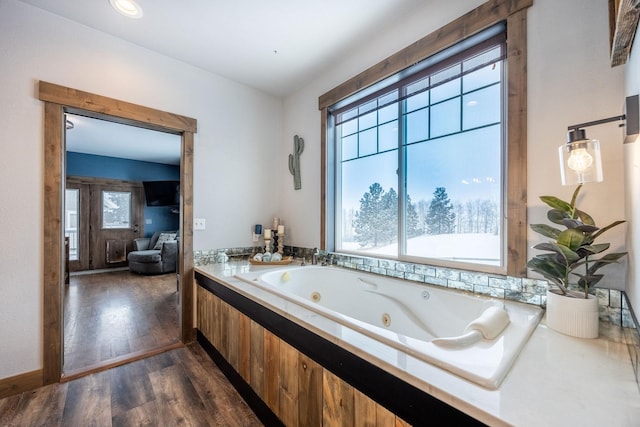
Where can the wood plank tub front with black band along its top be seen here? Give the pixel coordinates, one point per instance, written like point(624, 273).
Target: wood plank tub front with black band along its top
point(301, 378)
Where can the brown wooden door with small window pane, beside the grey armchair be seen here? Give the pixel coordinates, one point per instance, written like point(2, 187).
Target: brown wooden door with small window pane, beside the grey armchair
point(116, 212)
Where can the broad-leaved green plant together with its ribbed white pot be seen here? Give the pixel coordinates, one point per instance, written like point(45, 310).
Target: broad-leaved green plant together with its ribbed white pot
point(571, 262)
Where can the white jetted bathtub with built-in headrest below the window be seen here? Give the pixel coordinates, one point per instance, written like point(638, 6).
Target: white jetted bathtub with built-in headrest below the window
point(474, 337)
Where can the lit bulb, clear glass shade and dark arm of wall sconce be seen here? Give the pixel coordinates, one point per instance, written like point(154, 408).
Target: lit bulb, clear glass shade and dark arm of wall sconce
point(580, 157)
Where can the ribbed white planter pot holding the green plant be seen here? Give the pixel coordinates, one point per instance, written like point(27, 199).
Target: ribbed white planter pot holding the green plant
point(577, 317)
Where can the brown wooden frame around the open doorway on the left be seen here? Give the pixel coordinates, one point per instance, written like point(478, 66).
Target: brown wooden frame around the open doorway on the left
point(58, 100)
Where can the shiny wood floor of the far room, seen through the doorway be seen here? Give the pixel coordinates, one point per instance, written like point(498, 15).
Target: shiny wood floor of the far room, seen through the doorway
point(109, 316)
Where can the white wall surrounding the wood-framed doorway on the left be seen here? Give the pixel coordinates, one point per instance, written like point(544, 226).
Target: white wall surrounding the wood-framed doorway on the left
point(237, 130)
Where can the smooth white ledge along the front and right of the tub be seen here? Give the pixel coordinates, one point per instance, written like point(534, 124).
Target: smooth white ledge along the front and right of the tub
point(545, 386)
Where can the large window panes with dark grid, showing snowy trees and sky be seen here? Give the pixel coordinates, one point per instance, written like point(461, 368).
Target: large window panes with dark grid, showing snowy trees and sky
point(419, 159)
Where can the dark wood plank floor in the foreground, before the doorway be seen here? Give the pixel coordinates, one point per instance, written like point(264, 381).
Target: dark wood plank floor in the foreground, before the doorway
point(179, 387)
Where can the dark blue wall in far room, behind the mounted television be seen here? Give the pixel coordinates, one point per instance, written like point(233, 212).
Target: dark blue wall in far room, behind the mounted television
point(88, 165)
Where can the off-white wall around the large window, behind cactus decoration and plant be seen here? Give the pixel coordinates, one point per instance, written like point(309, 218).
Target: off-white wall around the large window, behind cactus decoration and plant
point(569, 80)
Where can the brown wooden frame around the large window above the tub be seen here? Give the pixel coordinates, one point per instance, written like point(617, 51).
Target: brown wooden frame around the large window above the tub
point(513, 12)
